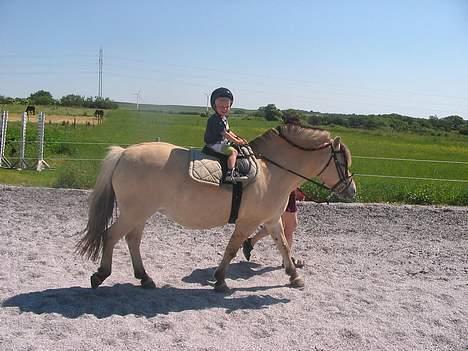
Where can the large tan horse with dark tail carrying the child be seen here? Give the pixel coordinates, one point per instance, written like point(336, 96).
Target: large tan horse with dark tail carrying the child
point(142, 179)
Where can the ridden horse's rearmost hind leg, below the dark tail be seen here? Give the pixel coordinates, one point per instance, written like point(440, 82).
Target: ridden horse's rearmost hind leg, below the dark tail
point(112, 235)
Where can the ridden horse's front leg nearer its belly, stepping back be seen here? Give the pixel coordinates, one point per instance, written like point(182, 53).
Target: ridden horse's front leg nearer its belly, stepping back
point(241, 232)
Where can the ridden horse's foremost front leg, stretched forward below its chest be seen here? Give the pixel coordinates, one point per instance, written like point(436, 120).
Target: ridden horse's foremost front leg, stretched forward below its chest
point(276, 231)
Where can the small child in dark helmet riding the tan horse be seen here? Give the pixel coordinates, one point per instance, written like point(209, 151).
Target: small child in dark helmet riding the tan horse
point(218, 136)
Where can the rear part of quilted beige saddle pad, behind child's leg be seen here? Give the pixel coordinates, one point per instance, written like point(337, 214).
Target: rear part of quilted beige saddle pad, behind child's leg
point(204, 168)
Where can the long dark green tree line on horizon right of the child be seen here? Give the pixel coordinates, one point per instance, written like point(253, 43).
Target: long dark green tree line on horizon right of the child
point(391, 121)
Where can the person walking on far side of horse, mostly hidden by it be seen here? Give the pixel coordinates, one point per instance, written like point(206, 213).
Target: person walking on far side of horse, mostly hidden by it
point(288, 218)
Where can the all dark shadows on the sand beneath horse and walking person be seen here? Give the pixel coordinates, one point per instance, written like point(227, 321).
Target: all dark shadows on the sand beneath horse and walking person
point(127, 299)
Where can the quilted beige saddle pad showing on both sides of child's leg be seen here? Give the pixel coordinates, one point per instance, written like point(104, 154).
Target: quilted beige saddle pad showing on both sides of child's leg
point(209, 167)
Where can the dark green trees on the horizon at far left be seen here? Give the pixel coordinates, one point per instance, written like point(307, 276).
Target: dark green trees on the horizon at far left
point(42, 97)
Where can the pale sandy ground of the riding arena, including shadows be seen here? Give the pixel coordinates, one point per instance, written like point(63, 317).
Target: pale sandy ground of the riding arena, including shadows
point(378, 277)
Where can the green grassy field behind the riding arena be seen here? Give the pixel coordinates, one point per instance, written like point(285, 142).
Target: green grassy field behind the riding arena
point(124, 127)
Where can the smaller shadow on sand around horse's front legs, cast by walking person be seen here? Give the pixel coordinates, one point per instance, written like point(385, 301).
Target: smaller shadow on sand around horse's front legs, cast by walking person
point(238, 270)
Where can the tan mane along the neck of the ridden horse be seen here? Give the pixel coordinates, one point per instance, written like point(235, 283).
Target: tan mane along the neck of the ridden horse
point(302, 136)
